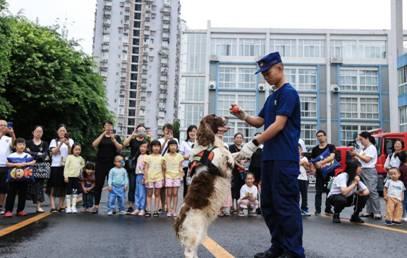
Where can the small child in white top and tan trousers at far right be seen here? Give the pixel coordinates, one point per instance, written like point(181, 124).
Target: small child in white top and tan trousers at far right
point(394, 197)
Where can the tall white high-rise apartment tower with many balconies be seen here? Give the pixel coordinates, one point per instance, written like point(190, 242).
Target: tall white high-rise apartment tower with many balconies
point(137, 48)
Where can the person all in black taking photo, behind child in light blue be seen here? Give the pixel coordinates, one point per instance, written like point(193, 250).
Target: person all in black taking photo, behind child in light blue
point(107, 145)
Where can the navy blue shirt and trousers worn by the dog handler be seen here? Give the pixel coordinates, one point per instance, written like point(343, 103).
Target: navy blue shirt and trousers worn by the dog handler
point(280, 192)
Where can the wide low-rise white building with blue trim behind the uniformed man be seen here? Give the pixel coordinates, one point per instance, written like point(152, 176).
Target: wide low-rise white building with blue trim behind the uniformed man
point(341, 76)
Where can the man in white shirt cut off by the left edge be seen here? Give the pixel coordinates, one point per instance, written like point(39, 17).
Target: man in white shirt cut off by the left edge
point(6, 144)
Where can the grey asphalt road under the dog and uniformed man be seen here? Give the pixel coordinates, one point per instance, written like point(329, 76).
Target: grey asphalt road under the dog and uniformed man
point(86, 235)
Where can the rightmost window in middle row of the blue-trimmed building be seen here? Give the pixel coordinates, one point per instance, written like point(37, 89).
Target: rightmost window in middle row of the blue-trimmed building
point(358, 79)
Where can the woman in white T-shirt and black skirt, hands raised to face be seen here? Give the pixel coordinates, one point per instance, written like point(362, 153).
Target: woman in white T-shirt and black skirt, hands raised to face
point(60, 147)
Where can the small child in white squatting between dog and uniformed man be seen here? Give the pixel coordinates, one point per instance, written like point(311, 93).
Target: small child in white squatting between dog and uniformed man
point(248, 197)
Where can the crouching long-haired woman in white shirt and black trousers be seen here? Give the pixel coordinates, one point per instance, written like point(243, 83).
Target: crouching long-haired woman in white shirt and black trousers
point(347, 189)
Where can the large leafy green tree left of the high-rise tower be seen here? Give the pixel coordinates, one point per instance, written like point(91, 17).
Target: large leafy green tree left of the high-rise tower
point(51, 83)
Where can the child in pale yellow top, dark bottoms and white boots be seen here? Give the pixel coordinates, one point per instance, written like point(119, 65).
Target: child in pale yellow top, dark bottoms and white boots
point(73, 167)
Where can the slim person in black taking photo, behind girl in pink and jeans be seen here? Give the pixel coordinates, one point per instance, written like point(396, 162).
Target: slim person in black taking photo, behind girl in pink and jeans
point(138, 137)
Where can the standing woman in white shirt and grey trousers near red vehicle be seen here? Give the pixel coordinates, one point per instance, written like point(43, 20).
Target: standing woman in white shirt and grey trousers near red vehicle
point(368, 158)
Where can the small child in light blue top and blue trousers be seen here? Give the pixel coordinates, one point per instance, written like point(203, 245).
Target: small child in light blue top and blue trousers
point(118, 183)
